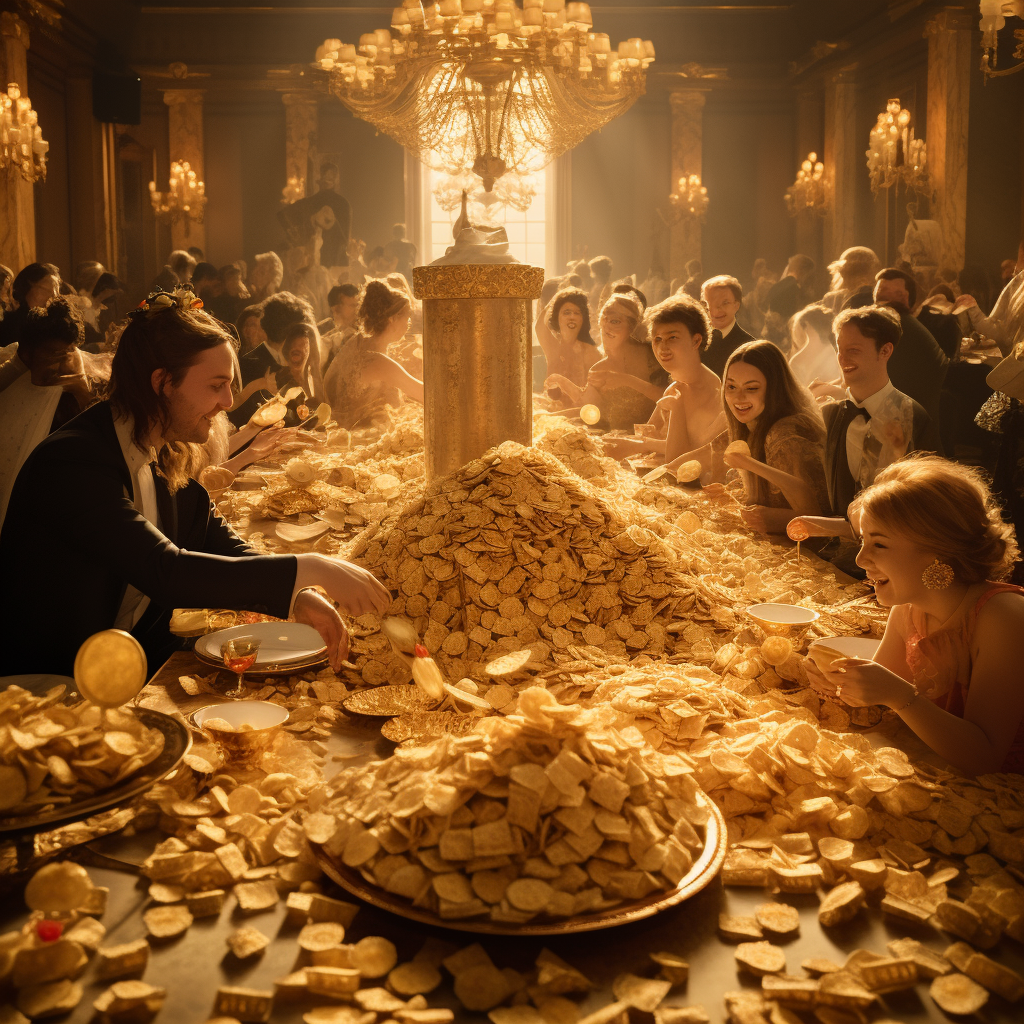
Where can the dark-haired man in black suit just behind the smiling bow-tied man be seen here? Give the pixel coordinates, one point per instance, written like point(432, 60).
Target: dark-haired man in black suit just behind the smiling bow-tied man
point(919, 366)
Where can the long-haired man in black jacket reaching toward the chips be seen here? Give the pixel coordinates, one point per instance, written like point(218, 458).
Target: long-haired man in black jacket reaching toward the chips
point(106, 527)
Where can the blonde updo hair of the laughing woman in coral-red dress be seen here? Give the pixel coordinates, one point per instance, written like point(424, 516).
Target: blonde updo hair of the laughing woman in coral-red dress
point(947, 508)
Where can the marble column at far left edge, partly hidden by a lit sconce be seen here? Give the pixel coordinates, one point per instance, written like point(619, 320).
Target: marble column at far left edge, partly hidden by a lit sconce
point(18, 211)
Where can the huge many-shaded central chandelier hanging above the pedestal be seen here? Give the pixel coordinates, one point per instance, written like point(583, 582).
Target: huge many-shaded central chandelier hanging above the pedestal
point(487, 87)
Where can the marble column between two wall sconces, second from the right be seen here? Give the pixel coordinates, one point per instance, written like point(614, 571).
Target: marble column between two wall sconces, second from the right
point(844, 159)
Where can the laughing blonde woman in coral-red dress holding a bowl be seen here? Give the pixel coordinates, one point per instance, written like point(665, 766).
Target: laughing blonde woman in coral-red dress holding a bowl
point(934, 547)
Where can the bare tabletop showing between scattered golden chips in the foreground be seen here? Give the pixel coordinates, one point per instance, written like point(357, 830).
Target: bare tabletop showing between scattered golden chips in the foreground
point(194, 966)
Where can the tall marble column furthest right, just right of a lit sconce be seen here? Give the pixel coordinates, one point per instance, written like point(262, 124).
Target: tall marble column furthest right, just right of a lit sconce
point(950, 58)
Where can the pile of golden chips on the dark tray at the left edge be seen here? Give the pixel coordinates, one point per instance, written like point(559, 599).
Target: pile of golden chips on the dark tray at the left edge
point(52, 754)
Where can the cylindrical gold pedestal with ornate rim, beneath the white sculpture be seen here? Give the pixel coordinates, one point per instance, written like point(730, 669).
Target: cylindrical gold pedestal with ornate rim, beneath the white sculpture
point(478, 359)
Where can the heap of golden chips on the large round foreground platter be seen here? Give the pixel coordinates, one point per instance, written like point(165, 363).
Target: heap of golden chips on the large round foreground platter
point(554, 812)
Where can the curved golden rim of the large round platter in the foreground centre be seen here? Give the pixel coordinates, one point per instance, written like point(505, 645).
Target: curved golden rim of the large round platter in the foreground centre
point(701, 875)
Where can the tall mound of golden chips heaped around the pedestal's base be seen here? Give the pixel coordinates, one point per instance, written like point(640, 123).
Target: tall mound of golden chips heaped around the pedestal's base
point(514, 551)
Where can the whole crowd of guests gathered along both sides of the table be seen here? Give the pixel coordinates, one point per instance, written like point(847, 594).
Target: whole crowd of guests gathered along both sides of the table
point(847, 414)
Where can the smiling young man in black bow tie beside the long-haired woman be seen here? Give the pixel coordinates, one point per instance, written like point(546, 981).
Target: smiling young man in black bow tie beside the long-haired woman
point(873, 426)
